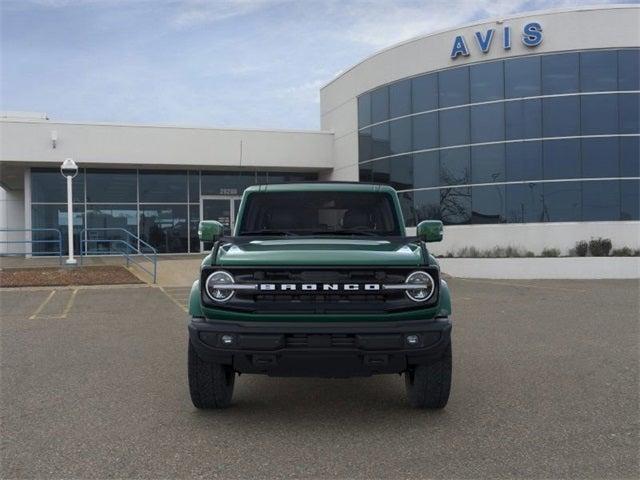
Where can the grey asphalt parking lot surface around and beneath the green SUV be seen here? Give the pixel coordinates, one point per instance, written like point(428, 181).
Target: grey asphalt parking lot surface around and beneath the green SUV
point(545, 385)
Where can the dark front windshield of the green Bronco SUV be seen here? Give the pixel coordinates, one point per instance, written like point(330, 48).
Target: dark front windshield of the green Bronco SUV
point(319, 213)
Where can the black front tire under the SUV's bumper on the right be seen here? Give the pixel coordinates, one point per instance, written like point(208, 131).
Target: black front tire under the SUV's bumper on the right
point(428, 385)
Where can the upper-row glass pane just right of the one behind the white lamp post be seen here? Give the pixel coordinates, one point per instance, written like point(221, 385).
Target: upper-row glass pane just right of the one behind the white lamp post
point(117, 186)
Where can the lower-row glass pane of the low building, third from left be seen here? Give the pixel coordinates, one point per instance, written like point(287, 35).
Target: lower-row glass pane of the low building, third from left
point(165, 227)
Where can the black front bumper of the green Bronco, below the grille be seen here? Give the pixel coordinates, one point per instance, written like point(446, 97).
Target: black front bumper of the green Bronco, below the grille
point(320, 349)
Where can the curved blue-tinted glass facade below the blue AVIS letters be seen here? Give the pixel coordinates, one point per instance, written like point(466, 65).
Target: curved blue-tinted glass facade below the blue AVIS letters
point(542, 138)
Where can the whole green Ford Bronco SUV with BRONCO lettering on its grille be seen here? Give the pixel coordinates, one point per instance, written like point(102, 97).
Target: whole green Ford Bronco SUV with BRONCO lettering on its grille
point(320, 280)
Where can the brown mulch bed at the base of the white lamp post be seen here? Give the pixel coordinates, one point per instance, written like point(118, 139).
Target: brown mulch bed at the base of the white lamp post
point(56, 276)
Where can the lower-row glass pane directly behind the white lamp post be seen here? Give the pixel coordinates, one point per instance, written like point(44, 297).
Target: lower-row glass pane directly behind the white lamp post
point(53, 216)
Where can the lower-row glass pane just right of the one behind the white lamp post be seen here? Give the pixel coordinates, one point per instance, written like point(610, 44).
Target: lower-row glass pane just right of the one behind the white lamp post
point(115, 219)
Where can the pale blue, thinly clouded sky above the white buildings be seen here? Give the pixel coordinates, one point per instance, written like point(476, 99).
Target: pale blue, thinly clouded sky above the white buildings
point(226, 63)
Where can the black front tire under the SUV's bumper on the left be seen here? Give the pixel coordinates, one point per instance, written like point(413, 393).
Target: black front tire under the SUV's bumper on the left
point(210, 384)
